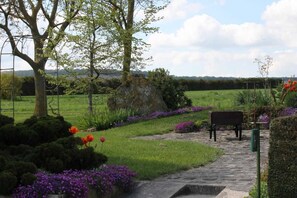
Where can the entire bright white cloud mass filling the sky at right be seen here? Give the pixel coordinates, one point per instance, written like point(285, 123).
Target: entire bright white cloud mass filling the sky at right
point(204, 46)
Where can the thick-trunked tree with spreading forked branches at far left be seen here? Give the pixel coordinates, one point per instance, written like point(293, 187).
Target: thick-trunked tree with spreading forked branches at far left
point(46, 22)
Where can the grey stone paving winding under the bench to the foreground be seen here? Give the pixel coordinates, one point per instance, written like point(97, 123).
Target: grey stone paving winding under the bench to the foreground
point(236, 169)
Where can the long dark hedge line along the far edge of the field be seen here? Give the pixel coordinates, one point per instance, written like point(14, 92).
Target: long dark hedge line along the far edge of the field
point(25, 85)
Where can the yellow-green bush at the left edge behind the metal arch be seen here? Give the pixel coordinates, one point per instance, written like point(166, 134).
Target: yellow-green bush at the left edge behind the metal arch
point(10, 86)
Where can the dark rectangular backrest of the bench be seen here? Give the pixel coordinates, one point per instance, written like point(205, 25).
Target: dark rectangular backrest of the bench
point(226, 117)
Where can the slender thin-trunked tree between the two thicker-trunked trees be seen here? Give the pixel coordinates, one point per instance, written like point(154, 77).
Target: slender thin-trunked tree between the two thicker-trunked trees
point(92, 49)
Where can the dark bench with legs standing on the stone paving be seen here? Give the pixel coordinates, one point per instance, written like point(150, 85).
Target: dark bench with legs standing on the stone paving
point(234, 118)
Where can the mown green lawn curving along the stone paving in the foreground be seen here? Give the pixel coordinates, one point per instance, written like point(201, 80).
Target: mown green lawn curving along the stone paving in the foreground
point(152, 158)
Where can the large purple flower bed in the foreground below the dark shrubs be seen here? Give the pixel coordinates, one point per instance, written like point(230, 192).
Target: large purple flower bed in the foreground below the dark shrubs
point(77, 183)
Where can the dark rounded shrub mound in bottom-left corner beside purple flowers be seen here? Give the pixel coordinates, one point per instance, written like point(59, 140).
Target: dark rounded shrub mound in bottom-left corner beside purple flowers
point(8, 182)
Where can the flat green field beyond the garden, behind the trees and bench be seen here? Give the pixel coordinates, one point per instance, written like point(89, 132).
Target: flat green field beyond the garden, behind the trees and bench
point(73, 107)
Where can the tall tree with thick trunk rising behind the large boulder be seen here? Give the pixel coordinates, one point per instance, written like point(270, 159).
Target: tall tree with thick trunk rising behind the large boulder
point(126, 24)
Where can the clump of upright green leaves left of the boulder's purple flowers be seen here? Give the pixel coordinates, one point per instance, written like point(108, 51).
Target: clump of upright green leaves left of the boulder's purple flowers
point(104, 119)
